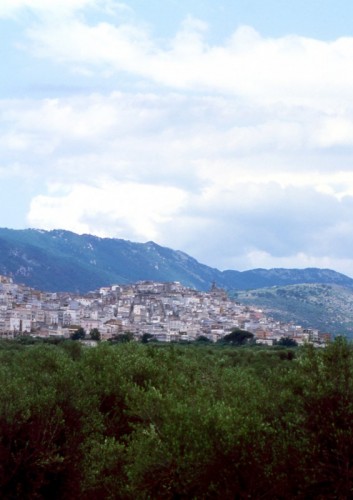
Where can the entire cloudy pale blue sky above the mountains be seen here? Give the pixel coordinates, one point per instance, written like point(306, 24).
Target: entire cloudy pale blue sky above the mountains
point(220, 128)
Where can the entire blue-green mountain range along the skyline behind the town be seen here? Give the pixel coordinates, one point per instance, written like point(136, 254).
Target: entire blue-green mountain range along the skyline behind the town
point(60, 260)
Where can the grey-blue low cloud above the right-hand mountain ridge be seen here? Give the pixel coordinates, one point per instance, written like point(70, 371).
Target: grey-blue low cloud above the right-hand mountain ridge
point(277, 225)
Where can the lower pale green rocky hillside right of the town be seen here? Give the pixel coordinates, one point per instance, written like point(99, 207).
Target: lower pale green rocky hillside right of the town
point(326, 307)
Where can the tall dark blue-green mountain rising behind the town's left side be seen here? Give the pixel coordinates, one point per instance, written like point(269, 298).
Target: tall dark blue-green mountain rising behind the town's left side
point(64, 261)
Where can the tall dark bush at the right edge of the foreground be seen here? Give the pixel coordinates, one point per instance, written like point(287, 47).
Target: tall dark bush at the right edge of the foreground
point(326, 404)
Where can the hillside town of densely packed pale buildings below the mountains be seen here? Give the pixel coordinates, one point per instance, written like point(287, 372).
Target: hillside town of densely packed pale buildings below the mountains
point(165, 311)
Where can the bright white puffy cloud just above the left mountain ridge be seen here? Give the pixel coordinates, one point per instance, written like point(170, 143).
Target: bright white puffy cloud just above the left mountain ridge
point(113, 209)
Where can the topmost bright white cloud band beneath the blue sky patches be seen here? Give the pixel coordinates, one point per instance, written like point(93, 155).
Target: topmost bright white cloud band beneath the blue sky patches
point(290, 69)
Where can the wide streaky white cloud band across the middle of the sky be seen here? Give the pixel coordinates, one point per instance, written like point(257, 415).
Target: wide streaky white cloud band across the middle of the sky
point(192, 141)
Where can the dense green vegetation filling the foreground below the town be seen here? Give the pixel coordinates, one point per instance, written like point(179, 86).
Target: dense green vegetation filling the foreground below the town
point(143, 421)
